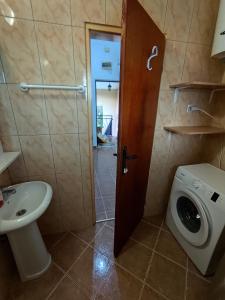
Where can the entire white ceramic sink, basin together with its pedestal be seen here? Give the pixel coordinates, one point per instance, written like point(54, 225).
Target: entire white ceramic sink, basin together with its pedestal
point(18, 217)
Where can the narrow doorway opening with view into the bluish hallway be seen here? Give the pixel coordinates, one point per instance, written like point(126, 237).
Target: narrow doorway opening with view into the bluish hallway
point(104, 76)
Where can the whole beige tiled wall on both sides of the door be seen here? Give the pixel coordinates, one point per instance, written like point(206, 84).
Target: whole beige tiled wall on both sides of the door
point(44, 42)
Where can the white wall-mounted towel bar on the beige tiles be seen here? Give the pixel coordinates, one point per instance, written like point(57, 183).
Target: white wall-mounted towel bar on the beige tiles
point(25, 87)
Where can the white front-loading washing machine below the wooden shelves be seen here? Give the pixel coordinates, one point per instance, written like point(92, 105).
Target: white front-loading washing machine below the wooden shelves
point(196, 214)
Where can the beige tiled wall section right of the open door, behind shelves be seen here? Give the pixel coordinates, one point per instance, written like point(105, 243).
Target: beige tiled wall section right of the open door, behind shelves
point(189, 28)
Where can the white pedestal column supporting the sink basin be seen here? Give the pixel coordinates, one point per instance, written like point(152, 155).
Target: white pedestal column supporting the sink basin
point(30, 253)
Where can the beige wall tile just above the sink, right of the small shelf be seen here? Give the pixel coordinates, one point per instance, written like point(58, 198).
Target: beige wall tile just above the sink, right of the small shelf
point(37, 154)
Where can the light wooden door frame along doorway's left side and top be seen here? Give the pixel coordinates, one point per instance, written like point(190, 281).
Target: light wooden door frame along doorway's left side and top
point(104, 29)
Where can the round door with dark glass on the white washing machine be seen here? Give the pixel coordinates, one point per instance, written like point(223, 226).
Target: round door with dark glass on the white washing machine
point(190, 216)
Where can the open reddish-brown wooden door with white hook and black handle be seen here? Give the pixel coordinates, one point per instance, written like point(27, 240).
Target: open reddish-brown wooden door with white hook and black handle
point(142, 53)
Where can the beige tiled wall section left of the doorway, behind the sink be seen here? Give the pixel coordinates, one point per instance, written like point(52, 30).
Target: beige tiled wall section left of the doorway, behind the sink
point(44, 43)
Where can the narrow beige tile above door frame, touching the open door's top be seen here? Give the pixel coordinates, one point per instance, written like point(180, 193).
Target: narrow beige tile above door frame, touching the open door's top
point(113, 12)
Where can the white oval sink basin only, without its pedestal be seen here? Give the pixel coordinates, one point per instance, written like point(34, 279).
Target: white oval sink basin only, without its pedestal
point(28, 203)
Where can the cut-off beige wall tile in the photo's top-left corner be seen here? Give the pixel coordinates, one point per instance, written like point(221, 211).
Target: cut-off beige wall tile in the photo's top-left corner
point(17, 9)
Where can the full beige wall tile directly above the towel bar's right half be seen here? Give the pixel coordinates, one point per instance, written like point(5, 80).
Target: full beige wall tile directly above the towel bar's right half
point(56, 53)
